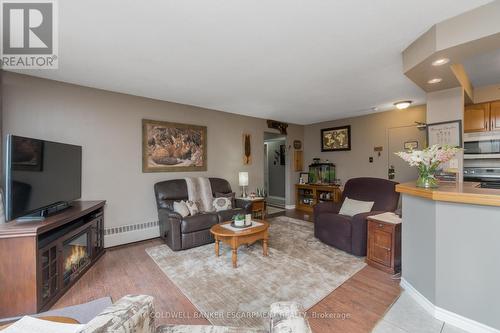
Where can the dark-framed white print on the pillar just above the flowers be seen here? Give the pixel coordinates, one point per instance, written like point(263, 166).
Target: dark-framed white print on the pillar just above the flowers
point(445, 133)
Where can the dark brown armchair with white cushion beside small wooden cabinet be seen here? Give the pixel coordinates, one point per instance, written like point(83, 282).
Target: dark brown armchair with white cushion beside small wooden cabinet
point(350, 233)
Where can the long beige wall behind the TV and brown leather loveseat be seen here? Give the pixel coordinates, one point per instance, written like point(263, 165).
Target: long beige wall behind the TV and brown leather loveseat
point(108, 126)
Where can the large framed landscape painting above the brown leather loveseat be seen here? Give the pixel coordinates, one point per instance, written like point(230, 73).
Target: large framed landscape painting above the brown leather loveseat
point(172, 147)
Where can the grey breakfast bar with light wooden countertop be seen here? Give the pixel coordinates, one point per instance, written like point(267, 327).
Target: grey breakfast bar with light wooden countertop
point(451, 251)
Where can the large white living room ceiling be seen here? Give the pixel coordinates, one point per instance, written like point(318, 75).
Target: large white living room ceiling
point(295, 61)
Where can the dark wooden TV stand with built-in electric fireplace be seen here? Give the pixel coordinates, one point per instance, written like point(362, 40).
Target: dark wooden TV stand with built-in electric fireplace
point(40, 261)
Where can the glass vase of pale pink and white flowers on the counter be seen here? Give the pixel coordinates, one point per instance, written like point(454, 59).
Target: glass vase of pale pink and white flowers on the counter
point(428, 161)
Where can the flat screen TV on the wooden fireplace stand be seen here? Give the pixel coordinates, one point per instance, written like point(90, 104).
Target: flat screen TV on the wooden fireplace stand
point(40, 175)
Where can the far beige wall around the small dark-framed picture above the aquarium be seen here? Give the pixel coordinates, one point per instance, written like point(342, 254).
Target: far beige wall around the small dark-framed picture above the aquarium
point(367, 132)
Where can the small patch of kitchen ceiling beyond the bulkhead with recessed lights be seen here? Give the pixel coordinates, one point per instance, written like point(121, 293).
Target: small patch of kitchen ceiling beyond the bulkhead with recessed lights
point(484, 70)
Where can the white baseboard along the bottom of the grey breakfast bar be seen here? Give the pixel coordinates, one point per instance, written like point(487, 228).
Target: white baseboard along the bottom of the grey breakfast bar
point(448, 317)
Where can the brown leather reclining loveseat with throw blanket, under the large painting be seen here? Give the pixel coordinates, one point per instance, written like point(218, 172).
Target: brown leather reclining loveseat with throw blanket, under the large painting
point(191, 231)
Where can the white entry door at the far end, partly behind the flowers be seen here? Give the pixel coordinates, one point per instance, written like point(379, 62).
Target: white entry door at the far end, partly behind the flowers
point(399, 170)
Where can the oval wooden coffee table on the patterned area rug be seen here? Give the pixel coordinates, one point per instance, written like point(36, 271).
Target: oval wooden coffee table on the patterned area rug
point(237, 238)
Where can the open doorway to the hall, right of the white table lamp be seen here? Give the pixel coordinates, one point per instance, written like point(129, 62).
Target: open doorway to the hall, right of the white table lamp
point(274, 171)
